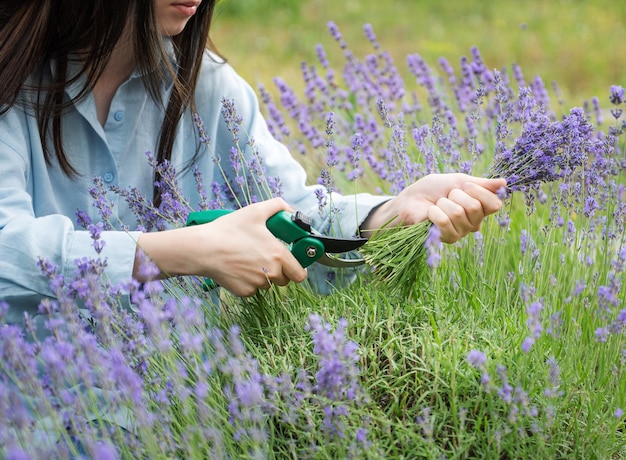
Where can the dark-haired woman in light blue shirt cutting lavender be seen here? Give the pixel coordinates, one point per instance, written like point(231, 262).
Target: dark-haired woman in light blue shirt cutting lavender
point(86, 88)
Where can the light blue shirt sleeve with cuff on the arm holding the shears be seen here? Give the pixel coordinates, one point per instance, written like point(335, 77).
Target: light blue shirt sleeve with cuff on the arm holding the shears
point(26, 238)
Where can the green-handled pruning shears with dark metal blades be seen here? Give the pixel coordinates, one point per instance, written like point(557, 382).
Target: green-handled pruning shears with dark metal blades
point(294, 229)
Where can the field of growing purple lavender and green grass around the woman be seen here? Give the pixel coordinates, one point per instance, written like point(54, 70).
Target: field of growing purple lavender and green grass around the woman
point(508, 344)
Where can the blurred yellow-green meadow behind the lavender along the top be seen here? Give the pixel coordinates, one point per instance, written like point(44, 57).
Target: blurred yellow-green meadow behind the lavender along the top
point(578, 44)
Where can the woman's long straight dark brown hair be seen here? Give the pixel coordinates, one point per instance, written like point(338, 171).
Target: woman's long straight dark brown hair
point(34, 32)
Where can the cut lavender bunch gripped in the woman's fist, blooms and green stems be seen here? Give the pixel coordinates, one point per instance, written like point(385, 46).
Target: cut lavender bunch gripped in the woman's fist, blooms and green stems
point(546, 151)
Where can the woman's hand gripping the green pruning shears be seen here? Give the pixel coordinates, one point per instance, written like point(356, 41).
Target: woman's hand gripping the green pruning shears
point(237, 251)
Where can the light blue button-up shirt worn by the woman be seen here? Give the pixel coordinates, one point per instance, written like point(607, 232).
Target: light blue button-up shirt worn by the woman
point(38, 202)
